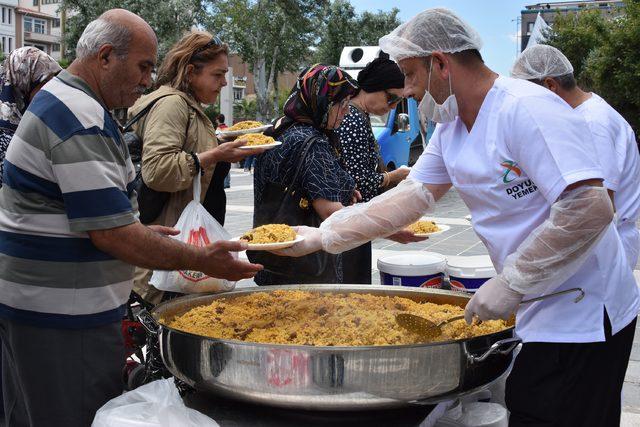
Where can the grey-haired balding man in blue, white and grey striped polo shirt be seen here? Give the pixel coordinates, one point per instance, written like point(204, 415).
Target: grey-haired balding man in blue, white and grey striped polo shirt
point(69, 234)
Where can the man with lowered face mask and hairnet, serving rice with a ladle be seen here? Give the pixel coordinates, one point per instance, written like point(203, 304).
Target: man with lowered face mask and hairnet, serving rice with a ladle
point(521, 159)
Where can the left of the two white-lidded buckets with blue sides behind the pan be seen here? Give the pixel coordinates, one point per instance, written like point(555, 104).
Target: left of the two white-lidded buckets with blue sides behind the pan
point(417, 269)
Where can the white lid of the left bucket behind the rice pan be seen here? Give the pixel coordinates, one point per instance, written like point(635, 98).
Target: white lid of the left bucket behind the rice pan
point(412, 263)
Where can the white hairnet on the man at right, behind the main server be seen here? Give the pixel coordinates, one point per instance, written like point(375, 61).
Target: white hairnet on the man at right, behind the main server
point(541, 61)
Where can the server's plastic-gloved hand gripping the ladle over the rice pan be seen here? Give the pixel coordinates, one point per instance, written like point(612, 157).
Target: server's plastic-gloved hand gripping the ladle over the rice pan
point(494, 300)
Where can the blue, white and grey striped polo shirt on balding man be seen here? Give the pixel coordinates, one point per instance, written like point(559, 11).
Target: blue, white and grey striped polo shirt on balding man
point(67, 171)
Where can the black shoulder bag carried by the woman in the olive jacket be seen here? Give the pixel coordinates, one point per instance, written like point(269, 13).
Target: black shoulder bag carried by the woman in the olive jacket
point(150, 201)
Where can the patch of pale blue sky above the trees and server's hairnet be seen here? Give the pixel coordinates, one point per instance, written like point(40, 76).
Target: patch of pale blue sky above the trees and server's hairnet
point(495, 20)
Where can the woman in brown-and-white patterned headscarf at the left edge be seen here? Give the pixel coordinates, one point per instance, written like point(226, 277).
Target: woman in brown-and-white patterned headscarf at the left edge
point(22, 75)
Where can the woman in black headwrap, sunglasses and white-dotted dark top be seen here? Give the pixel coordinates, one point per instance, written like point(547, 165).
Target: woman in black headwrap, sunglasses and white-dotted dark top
point(381, 84)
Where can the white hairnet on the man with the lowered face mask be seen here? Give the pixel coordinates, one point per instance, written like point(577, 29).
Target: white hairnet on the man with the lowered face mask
point(430, 31)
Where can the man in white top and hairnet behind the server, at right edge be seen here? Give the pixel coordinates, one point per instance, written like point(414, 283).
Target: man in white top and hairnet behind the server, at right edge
point(614, 139)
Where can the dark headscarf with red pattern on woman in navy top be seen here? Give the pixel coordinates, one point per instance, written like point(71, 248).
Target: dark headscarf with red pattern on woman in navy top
point(319, 87)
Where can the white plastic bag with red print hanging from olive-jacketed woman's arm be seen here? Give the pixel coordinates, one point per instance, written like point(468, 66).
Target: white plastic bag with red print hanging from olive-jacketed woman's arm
point(197, 227)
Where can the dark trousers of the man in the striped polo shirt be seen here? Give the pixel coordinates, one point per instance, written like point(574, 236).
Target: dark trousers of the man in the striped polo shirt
point(59, 377)
